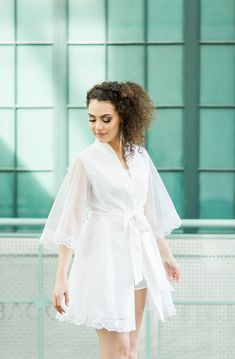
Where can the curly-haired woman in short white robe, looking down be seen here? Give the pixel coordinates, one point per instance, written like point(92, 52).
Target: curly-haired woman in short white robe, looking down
point(112, 212)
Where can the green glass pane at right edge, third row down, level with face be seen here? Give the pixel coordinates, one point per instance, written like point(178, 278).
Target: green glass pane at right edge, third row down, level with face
point(217, 138)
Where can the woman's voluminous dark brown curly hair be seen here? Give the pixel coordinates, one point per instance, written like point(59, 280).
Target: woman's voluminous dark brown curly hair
point(133, 105)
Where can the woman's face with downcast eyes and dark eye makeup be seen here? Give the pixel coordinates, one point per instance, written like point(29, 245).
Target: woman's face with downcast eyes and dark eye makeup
point(104, 120)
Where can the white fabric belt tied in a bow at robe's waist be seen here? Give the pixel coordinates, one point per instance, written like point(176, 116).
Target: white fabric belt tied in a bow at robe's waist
point(135, 223)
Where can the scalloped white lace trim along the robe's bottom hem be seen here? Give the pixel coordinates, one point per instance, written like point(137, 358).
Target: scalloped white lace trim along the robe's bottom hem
point(118, 325)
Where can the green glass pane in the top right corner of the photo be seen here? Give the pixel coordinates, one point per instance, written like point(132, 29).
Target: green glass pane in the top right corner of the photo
point(218, 20)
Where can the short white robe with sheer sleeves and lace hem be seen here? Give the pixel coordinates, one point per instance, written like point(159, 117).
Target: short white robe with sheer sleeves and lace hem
point(112, 221)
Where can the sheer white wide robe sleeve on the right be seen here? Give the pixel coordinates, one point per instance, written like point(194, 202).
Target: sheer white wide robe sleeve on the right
point(159, 208)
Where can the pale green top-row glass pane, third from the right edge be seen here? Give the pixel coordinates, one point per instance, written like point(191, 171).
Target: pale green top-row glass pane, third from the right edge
point(125, 20)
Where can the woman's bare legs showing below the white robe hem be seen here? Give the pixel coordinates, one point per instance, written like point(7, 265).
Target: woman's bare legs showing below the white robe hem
point(115, 345)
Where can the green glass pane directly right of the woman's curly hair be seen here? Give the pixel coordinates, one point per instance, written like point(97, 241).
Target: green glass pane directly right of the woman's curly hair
point(165, 138)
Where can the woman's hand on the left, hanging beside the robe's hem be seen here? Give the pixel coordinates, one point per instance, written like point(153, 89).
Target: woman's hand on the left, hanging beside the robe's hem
point(60, 291)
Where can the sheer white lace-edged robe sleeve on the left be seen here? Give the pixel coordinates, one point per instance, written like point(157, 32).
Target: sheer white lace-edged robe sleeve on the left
point(64, 222)
